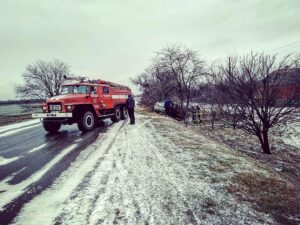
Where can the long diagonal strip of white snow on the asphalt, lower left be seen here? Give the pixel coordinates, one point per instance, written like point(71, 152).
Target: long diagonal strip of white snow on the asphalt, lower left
point(13, 191)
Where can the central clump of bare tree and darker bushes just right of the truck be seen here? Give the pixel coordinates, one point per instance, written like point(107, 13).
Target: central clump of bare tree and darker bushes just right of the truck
point(175, 72)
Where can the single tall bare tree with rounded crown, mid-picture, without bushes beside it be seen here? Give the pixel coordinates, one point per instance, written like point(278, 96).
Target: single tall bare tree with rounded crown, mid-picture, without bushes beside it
point(186, 68)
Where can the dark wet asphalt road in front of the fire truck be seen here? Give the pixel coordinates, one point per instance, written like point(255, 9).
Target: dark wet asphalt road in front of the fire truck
point(22, 145)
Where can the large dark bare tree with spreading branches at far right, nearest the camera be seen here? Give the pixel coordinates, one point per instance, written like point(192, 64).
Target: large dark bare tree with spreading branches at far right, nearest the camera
point(256, 85)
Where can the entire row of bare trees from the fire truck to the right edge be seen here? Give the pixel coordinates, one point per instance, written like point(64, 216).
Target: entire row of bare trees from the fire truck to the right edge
point(242, 90)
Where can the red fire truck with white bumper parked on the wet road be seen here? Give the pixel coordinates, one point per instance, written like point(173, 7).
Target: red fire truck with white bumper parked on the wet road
point(85, 102)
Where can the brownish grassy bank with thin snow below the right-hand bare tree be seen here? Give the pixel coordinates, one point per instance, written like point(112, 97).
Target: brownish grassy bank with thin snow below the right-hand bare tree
point(275, 190)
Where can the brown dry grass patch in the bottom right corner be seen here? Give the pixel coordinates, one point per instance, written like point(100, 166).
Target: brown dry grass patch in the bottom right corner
point(269, 194)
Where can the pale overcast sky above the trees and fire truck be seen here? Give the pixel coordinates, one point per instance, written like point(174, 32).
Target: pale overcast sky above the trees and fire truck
point(116, 39)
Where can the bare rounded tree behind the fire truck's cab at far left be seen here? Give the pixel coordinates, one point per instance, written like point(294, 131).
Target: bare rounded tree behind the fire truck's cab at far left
point(42, 80)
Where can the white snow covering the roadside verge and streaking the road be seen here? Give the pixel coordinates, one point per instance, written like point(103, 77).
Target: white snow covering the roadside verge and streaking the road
point(155, 172)
